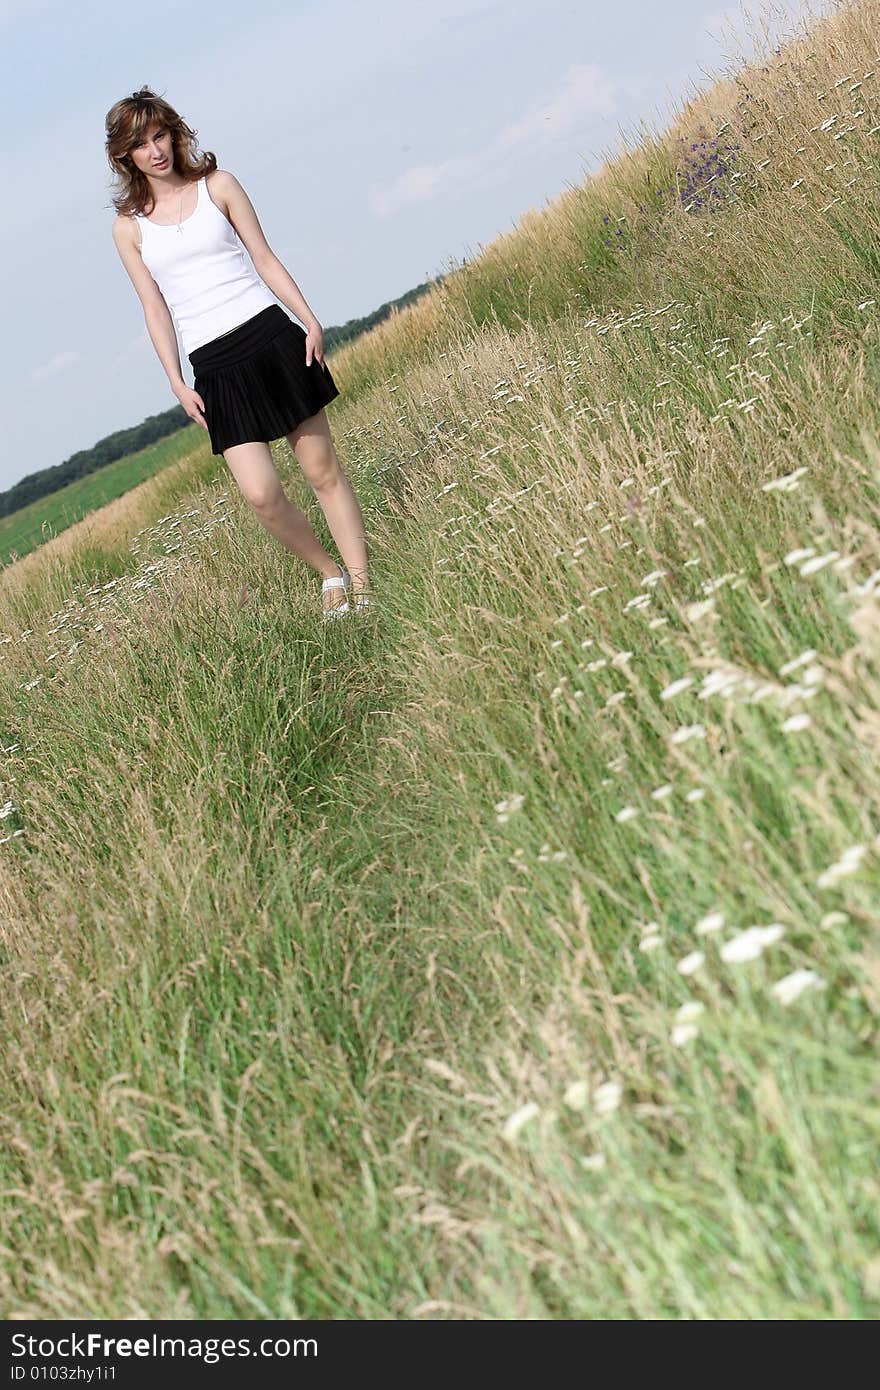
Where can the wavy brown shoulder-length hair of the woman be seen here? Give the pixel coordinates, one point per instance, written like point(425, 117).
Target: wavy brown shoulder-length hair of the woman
point(127, 124)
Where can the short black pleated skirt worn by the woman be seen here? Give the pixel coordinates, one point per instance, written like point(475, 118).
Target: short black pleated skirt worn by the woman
point(255, 382)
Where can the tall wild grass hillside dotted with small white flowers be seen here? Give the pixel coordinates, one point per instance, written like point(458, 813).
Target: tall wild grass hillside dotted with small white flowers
point(512, 953)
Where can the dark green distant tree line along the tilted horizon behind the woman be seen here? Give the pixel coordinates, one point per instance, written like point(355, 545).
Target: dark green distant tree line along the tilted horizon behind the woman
point(123, 443)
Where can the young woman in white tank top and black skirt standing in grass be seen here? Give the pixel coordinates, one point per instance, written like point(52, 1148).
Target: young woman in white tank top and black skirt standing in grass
point(258, 376)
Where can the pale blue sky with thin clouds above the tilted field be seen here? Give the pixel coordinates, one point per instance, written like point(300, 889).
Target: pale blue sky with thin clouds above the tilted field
point(380, 144)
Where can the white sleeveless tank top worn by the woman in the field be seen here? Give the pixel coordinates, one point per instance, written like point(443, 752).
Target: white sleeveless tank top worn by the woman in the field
point(202, 272)
